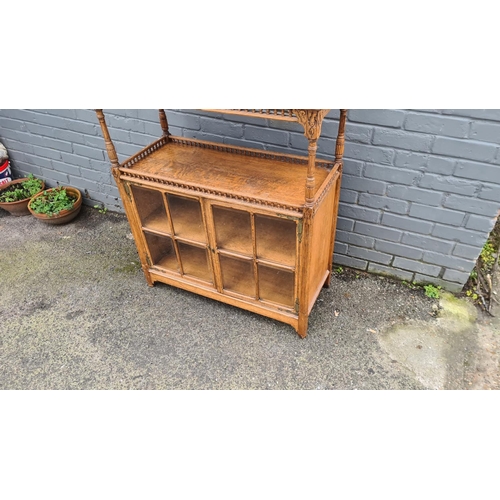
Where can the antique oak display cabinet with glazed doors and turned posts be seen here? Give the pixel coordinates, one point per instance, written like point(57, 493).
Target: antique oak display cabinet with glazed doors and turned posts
point(251, 228)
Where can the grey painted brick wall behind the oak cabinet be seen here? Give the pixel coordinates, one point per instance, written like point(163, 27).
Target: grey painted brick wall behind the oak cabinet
point(420, 191)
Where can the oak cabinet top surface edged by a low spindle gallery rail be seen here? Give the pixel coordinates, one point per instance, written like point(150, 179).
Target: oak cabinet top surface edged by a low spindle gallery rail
point(237, 172)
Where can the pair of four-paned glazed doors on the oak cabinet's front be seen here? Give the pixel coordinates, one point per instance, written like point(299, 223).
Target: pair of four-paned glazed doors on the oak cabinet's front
point(255, 254)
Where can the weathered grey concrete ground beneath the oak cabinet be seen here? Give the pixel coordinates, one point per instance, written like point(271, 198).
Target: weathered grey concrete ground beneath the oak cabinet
point(76, 313)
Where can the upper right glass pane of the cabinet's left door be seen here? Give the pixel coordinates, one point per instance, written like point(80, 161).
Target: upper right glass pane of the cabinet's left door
point(186, 218)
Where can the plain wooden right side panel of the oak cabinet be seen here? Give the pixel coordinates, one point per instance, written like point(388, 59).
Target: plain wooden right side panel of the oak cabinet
point(322, 226)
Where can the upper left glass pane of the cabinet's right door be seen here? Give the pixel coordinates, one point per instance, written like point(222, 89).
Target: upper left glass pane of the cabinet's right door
point(233, 229)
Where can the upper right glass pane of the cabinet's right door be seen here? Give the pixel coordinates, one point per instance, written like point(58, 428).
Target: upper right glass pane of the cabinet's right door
point(275, 239)
